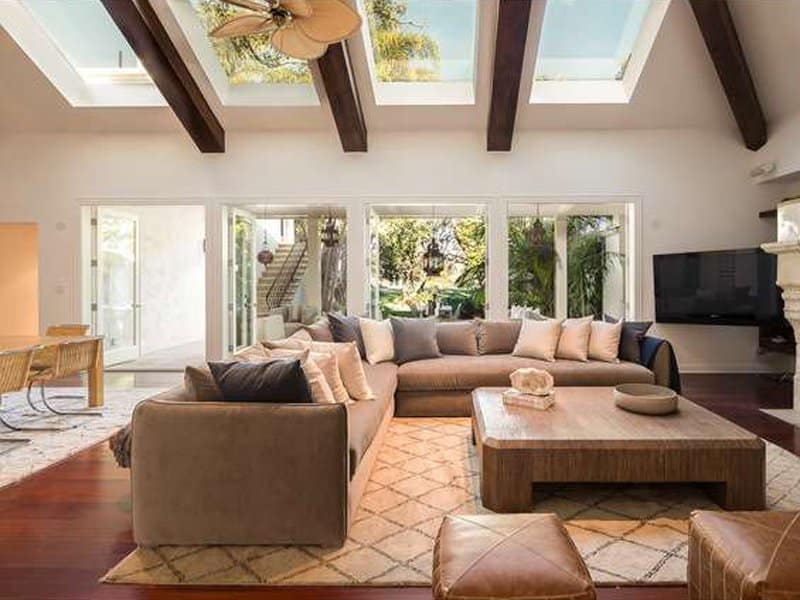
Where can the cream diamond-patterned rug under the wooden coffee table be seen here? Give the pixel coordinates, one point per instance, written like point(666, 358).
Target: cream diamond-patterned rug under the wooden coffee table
point(427, 469)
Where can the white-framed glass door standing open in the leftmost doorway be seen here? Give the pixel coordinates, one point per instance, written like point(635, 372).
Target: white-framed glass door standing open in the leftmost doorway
point(118, 285)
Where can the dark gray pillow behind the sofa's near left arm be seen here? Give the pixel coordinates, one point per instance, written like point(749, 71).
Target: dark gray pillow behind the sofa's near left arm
point(275, 381)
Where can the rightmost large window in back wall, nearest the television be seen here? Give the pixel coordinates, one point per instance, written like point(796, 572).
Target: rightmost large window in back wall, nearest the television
point(569, 260)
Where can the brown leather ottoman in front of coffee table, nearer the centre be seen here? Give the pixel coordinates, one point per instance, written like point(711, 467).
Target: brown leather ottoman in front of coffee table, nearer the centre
point(527, 556)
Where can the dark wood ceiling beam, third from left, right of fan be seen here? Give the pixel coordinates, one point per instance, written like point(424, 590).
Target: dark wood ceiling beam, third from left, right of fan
point(509, 55)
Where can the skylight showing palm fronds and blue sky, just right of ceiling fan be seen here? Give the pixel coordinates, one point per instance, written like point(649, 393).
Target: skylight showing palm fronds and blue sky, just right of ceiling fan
point(422, 51)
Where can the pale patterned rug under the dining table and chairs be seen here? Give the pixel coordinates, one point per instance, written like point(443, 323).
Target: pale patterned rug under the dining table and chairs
point(47, 447)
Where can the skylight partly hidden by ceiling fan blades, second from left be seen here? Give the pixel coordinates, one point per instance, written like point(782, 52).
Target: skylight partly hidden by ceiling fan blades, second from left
point(244, 71)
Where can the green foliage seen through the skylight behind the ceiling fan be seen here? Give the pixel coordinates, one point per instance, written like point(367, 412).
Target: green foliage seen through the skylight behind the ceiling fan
point(249, 59)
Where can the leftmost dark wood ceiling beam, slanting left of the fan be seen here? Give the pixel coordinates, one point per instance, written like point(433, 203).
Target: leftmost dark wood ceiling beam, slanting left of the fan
point(140, 25)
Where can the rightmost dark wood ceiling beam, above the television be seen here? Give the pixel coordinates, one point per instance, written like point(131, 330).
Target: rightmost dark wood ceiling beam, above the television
point(719, 33)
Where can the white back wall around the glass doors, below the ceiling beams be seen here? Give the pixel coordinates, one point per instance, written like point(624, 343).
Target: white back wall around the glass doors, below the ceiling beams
point(693, 186)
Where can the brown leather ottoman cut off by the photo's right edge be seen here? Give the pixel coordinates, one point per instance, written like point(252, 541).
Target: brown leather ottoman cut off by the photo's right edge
point(744, 555)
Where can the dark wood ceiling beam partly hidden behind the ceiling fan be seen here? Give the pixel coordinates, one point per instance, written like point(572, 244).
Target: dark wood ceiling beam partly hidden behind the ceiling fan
point(340, 88)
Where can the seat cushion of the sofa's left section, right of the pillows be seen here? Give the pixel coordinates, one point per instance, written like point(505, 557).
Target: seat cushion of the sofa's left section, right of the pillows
point(364, 418)
